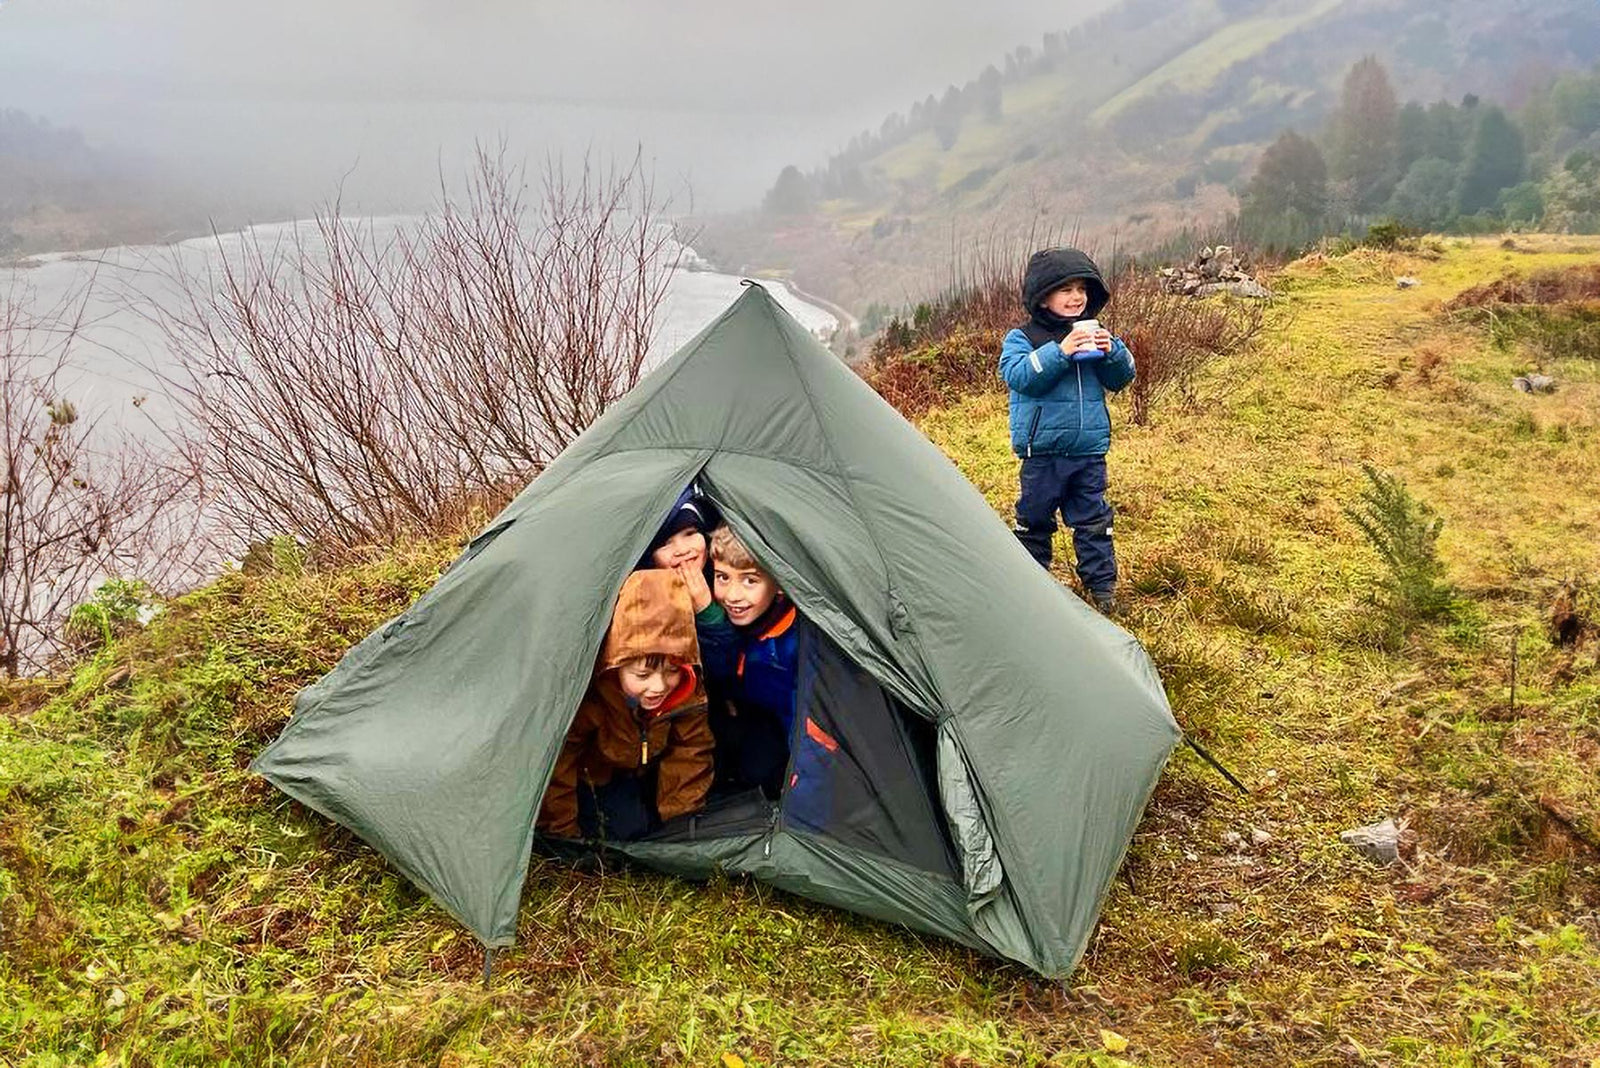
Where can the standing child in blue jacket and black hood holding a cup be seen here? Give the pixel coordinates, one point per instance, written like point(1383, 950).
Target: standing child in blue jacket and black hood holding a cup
point(1058, 375)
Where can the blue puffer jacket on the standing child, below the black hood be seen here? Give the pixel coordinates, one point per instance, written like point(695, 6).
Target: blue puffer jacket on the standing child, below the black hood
point(1058, 404)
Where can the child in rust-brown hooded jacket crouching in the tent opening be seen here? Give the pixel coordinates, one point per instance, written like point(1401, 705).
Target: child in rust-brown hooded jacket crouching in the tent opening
point(641, 749)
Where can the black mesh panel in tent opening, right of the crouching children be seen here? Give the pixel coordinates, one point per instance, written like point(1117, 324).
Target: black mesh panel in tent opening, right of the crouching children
point(862, 767)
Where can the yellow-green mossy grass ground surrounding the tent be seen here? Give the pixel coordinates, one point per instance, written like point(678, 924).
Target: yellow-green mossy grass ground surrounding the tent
point(159, 906)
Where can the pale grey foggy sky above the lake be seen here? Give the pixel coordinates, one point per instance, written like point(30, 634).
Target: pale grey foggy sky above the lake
point(287, 98)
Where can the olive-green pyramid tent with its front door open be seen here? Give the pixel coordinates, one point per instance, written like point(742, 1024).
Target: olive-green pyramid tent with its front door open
point(999, 738)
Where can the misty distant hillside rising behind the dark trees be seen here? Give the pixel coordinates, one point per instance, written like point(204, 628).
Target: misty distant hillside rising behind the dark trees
point(1130, 129)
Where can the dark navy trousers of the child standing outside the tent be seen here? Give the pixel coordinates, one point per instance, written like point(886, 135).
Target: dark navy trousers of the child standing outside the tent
point(1076, 488)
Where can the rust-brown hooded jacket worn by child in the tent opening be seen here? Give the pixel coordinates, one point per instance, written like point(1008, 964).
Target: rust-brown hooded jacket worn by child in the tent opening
point(654, 616)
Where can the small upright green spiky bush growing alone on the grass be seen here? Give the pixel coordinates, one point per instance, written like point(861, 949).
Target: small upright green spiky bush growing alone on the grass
point(1404, 532)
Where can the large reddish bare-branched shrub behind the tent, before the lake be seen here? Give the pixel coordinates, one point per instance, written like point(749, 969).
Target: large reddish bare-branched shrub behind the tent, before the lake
point(348, 391)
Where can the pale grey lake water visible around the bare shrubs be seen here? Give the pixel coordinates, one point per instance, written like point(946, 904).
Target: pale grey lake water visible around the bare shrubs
point(121, 348)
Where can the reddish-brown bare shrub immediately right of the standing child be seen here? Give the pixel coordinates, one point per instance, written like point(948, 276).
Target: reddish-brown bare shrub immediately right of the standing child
point(1174, 337)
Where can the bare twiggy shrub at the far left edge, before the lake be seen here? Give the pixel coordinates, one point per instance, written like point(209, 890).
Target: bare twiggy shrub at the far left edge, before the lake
point(79, 504)
